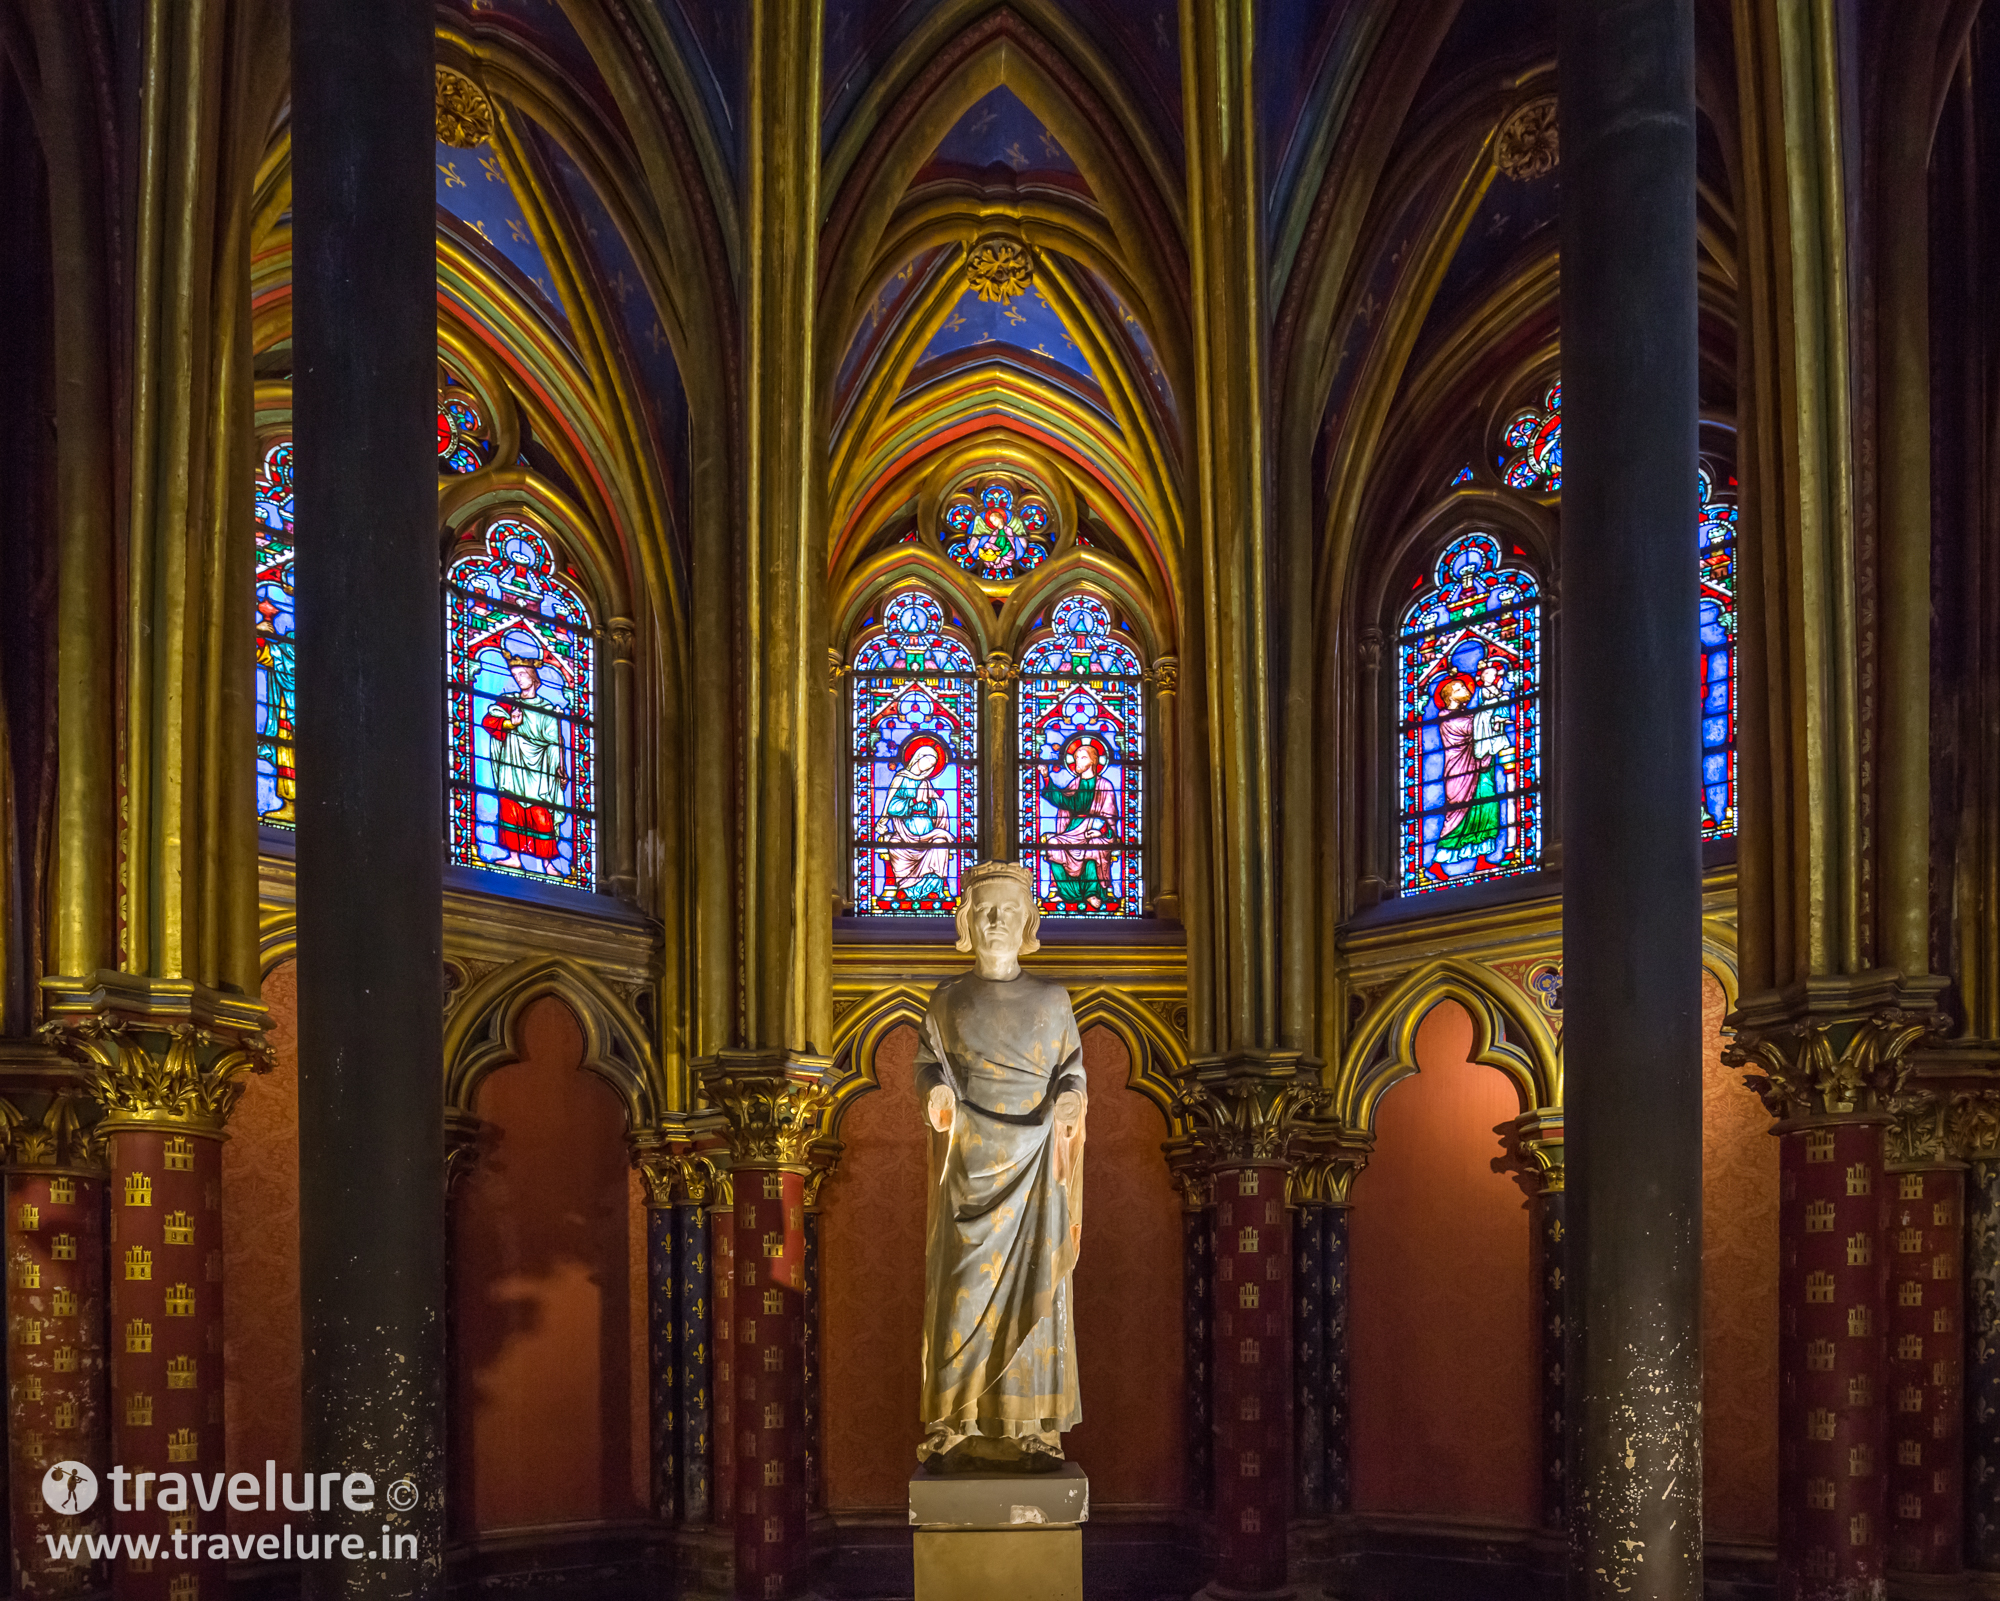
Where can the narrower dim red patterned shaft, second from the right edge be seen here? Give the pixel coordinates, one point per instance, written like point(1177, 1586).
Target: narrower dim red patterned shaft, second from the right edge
point(1925, 1388)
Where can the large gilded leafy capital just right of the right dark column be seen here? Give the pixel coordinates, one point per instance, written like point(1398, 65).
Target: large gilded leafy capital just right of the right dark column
point(1835, 1046)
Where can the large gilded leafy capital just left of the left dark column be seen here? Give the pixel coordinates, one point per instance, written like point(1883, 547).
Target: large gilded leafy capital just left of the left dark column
point(155, 1052)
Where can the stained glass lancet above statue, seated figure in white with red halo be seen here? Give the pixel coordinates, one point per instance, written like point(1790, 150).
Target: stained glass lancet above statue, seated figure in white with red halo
point(917, 779)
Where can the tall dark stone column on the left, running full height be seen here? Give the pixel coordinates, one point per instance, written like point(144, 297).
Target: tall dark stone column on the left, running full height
point(371, 773)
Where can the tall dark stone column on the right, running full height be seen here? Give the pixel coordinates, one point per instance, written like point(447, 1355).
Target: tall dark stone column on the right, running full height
point(1631, 842)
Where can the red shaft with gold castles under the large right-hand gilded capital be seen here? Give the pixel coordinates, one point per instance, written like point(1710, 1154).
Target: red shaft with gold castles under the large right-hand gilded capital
point(1831, 1428)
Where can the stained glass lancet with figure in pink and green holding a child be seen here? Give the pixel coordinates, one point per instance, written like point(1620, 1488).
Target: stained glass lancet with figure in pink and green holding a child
point(1469, 671)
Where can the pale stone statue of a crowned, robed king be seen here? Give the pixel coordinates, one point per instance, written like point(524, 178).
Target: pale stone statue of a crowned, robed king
point(1001, 1076)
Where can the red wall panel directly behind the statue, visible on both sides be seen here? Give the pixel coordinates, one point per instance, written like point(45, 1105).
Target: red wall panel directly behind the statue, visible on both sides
point(1127, 1294)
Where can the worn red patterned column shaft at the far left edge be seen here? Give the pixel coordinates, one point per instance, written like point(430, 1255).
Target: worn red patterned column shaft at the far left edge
point(55, 1358)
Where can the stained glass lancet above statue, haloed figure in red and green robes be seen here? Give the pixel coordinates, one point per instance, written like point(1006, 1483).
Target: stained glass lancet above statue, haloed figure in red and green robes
point(1081, 763)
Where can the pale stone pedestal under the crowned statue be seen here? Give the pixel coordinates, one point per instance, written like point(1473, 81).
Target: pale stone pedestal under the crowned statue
point(1001, 1536)
